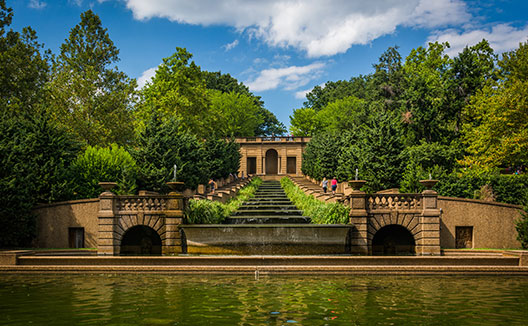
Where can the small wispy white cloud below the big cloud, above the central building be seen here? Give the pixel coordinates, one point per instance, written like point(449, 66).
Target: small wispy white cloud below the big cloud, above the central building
point(289, 78)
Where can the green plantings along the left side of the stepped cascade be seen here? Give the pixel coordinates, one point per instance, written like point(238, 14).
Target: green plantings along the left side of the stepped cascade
point(203, 211)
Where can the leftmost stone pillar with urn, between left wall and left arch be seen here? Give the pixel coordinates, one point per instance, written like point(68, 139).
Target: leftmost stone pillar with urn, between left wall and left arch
point(106, 242)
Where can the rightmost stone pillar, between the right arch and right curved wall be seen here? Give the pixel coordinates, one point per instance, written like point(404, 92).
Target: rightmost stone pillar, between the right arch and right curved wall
point(429, 243)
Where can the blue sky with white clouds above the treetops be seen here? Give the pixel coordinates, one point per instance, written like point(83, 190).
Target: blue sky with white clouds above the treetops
point(279, 48)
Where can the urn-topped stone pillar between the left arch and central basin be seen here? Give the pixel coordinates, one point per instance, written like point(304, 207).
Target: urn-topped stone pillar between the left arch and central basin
point(172, 244)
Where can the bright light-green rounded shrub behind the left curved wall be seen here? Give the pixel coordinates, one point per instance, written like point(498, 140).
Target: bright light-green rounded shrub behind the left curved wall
point(98, 164)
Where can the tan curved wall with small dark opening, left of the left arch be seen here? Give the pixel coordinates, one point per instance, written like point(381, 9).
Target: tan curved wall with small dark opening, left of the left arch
point(54, 221)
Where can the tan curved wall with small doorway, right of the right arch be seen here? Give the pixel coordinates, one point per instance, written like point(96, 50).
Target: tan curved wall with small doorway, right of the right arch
point(493, 223)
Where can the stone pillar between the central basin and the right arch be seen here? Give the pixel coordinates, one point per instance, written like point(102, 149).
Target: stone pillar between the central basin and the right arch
point(359, 218)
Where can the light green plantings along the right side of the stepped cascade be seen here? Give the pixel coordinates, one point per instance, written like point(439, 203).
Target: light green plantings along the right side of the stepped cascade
point(319, 212)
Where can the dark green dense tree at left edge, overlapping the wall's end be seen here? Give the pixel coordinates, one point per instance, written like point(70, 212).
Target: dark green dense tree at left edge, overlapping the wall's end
point(35, 160)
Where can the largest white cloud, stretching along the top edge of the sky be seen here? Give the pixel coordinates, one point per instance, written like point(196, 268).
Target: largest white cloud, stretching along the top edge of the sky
point(319, 28)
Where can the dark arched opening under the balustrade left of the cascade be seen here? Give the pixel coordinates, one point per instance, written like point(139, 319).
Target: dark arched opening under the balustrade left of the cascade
point(140, 240)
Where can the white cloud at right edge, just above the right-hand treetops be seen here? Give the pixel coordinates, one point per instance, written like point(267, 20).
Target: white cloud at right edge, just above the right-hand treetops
point(502, 37)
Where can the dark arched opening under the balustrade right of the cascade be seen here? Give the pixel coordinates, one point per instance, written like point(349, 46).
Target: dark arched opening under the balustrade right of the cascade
point(393, 240)
